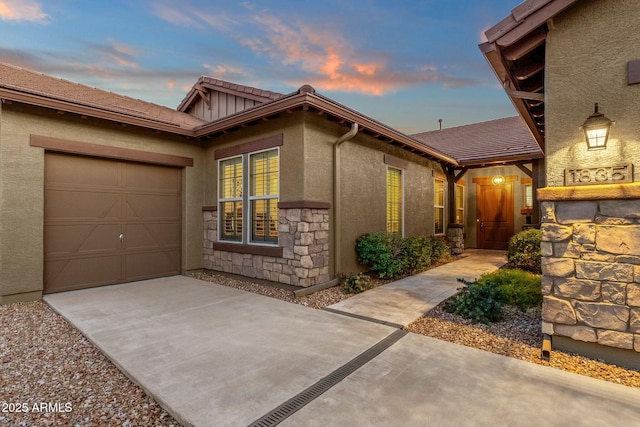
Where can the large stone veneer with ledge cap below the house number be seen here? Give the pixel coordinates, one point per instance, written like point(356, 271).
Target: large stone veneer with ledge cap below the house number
point(591, 264)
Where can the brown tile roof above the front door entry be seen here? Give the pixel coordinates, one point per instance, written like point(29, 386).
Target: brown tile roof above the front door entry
point(494, 141)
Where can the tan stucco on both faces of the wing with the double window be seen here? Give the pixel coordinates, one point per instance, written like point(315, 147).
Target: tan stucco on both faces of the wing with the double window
point(306, 165)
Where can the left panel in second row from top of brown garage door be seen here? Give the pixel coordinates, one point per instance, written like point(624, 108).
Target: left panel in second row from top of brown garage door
point(67, 204)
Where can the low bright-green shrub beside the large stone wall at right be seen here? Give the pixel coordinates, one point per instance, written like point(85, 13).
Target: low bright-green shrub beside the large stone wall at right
point(517, 287)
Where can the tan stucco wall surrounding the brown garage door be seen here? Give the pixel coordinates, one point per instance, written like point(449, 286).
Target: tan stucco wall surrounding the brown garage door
point(22, 191)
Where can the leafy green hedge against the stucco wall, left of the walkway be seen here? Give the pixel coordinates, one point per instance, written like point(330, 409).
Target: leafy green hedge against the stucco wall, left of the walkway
point(390, 255)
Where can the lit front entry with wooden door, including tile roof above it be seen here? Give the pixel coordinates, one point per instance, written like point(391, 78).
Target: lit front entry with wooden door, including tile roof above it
point(494, 182)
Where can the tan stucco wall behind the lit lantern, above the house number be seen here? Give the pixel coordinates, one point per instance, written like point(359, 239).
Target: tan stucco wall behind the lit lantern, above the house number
point(586, 62)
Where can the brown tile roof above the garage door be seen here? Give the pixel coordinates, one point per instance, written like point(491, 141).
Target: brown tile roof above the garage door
point(36, 86)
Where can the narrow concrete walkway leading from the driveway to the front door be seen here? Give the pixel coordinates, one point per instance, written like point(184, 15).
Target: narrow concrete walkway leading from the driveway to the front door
point(405, 300)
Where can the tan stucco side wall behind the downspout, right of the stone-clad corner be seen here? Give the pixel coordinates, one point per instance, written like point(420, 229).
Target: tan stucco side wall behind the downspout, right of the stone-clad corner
point(363, 185)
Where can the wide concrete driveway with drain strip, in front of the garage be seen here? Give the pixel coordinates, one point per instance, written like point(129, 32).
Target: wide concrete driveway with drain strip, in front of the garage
point(217, 356)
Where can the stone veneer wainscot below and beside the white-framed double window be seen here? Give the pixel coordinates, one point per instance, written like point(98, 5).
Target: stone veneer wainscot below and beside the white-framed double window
point(302, 254)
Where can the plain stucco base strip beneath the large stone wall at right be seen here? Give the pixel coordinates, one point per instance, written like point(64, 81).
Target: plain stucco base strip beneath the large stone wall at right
point(612, 355)
